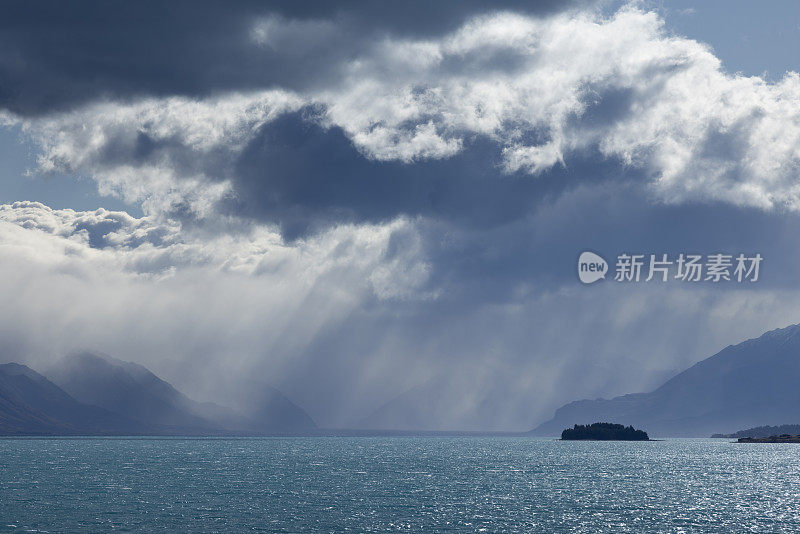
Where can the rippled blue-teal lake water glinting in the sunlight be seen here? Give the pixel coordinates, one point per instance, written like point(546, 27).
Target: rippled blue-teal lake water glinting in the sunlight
point(430, 484)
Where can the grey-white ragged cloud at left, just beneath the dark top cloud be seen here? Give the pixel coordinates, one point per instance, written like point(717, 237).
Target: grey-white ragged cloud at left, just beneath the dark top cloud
point(159, 152)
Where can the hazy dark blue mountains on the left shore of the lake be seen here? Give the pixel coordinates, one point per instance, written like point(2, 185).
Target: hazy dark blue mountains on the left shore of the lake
point(89, 393)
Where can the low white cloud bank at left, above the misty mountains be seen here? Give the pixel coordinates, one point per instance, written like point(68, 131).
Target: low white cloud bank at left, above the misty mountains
point(114, 242)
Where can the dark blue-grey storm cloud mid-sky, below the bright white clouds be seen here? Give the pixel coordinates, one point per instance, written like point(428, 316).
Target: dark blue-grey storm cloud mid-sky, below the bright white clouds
point(305, 177)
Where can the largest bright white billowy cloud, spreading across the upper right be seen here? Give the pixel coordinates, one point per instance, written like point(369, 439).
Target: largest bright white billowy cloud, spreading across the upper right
point(663, 103)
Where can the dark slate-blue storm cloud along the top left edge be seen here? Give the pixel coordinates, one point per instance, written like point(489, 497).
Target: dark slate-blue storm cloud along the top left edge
point(54, 55)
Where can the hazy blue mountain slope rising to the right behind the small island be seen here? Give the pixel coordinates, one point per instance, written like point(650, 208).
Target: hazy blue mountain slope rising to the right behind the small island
point(745, 385)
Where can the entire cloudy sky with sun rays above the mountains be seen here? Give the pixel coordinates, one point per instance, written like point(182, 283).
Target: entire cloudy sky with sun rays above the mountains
point(363, 203)
